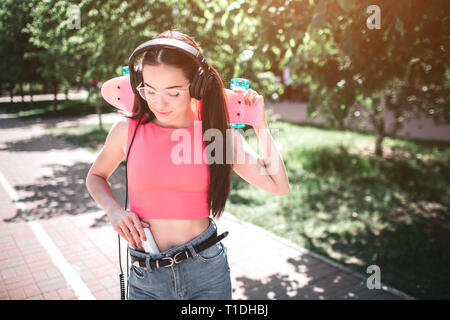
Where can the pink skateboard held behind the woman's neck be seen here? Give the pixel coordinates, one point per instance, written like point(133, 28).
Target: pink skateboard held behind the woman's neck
point(117, 92)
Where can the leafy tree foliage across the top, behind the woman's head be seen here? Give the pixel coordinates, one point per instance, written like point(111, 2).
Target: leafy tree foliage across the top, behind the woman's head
point(280, 46)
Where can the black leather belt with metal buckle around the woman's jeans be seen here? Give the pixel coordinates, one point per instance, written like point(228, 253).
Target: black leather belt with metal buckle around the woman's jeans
point(180, 256)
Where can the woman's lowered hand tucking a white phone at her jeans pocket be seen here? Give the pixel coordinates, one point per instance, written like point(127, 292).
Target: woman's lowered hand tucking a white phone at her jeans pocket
point(128, 225)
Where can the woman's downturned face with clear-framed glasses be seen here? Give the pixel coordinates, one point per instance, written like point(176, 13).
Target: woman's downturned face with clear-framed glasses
point(170, 108)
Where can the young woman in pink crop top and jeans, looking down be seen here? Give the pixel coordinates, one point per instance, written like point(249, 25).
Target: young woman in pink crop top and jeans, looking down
point(176, 200)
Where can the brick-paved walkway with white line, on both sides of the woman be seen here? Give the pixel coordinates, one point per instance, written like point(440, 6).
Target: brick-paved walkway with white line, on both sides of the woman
point(55, 243)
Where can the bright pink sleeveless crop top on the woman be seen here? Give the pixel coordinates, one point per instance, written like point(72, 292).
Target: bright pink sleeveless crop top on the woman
point(158, 187)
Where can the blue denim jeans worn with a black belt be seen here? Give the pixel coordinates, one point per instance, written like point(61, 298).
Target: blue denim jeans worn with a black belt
point(206, 275)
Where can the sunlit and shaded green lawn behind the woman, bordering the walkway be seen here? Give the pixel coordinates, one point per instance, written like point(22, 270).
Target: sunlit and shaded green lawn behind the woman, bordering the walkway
point(353, 207)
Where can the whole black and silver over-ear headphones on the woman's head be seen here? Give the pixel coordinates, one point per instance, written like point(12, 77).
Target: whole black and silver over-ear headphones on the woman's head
point(201, 79)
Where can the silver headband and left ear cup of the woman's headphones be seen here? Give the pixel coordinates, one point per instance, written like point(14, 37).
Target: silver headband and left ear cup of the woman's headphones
point(135, 72)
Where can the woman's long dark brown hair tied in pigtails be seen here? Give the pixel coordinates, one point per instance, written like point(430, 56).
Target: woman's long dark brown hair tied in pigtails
point(212, 111)
